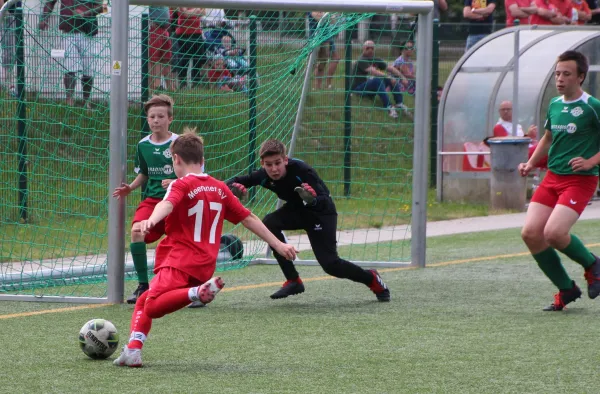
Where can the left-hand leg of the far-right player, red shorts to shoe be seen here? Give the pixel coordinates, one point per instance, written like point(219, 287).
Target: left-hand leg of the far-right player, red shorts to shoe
point(536, 219)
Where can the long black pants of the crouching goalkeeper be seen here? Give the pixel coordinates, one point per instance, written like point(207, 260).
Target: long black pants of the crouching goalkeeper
point(321, 231)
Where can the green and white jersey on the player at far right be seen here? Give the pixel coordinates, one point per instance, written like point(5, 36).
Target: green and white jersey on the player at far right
point(575, 128)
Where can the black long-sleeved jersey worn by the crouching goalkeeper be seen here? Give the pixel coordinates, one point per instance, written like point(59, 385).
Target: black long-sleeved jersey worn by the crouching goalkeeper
point(297, 172)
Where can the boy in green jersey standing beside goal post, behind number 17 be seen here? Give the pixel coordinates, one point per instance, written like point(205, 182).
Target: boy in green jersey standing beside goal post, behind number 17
point(154, 166)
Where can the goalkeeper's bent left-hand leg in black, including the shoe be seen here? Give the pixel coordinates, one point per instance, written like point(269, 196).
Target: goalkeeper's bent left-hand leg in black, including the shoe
point(285, 219)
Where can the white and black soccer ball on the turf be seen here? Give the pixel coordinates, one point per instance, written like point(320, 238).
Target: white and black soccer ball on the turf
point(98, 339)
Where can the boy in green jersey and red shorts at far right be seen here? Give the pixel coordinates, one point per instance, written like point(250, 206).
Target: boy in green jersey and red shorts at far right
point(572, 142)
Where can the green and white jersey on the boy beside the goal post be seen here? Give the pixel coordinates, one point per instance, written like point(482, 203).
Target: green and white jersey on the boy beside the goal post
point(154, 160)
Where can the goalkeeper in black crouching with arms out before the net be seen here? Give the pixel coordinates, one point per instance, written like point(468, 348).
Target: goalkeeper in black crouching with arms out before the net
point(308, 207)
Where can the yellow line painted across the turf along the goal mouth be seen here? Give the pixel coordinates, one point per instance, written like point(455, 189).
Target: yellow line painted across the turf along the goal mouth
point(271, 284)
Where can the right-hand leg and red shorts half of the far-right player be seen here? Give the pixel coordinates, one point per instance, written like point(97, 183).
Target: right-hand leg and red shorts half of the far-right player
point(575, 193)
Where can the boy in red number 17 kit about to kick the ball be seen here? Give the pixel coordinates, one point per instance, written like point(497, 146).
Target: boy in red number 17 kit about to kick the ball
point(195, 207)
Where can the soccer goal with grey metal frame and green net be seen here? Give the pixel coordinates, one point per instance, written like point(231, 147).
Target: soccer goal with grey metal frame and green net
point(65, 239)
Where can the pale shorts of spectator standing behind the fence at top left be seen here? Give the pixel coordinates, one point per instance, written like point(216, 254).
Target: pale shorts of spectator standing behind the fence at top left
point(80, 53)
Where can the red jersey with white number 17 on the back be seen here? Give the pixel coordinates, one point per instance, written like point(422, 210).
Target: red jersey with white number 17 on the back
point(200, 205)
